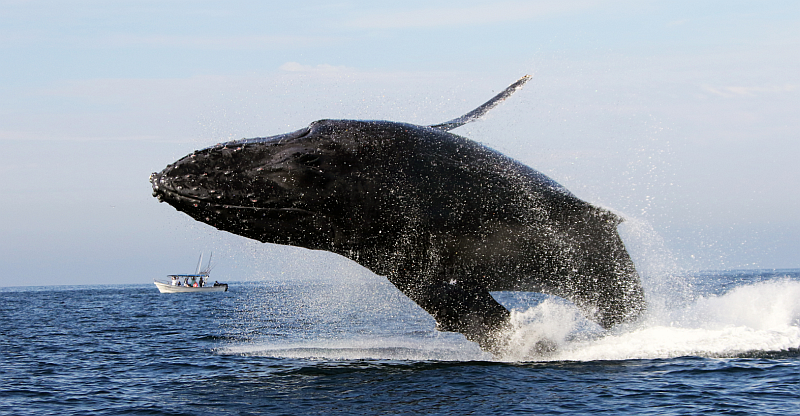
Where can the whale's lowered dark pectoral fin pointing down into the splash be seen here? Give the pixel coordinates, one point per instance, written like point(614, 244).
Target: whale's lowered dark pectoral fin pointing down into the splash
point(469, 310)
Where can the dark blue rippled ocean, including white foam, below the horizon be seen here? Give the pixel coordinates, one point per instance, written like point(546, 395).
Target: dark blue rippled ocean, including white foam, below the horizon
point(713, 342)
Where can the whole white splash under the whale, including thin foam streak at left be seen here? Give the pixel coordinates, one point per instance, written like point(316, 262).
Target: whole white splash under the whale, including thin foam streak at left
point(759, 317)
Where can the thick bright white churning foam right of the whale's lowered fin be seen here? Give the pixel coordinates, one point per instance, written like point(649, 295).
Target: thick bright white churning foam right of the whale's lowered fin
point(760, 317)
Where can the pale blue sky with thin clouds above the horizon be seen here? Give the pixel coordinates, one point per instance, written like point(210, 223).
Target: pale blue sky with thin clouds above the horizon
point(681, 116)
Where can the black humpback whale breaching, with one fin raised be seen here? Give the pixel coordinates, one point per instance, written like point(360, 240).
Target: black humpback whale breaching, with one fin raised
point(445, 219)
